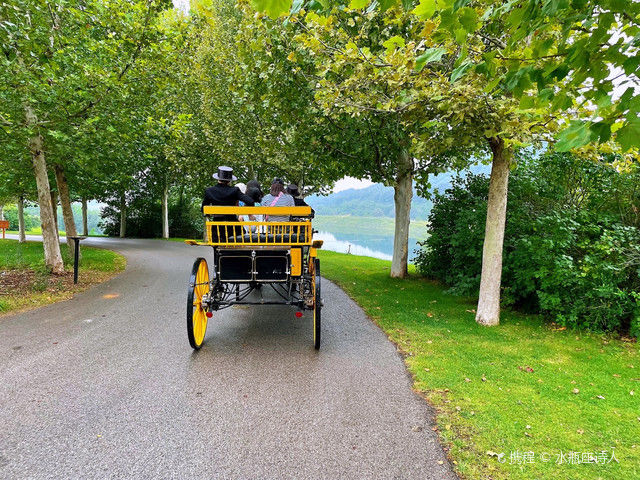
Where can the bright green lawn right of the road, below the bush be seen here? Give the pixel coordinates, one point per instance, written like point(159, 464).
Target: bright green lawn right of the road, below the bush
point(523, 386)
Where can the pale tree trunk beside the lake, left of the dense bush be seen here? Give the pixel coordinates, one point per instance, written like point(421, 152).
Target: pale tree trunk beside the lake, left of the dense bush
point(403, 192)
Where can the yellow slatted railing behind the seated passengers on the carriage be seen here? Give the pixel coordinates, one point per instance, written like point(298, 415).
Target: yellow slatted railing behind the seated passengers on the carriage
point(225, 233)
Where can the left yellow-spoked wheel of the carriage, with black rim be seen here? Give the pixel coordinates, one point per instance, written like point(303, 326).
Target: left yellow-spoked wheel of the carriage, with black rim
point(196, 315)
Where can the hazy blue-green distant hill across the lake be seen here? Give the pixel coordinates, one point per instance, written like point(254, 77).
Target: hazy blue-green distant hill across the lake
point(377, 200)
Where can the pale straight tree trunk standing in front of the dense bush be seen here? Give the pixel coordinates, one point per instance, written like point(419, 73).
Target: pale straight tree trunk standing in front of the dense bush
point(488, 311)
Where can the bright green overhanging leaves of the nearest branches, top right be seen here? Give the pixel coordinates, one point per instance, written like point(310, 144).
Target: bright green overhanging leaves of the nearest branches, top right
point(563, 67)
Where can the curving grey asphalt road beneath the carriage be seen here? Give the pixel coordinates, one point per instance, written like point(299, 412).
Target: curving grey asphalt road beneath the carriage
point(106, 386)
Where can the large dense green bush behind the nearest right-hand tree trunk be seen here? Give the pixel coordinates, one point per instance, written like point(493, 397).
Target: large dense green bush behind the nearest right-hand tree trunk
point(572, 243)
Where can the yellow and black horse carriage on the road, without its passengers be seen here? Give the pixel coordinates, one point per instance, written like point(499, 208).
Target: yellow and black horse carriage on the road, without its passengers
point(249, 255)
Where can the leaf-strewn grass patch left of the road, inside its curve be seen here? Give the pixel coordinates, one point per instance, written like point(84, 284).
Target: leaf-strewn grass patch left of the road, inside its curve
point(25, 283)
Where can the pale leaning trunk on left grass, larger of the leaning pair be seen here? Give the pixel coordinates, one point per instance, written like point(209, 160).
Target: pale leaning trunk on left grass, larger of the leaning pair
point(52, 256)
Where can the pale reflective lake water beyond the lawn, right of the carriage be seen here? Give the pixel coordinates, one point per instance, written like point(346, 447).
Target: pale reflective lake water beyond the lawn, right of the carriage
point(366, 243)
